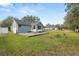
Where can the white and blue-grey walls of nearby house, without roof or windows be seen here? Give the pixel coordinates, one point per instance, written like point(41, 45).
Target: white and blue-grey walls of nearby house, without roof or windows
point(25, 28)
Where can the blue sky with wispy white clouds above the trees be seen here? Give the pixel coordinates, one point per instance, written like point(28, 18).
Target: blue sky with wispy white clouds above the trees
point(48, 13)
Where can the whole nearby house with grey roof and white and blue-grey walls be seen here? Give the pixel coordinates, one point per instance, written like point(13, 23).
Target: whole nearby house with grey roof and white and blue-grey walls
point(23, 26)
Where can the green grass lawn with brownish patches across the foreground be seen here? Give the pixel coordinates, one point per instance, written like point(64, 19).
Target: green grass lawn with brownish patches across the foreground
point(53, 43)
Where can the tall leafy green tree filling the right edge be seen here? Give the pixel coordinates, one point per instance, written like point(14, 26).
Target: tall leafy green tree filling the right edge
point(72, 16)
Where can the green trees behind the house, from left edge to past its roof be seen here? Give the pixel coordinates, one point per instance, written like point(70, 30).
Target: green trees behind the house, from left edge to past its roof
point(7, 22)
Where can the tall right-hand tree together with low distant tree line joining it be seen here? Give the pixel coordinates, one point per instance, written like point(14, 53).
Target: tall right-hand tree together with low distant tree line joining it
point(71, 19)
